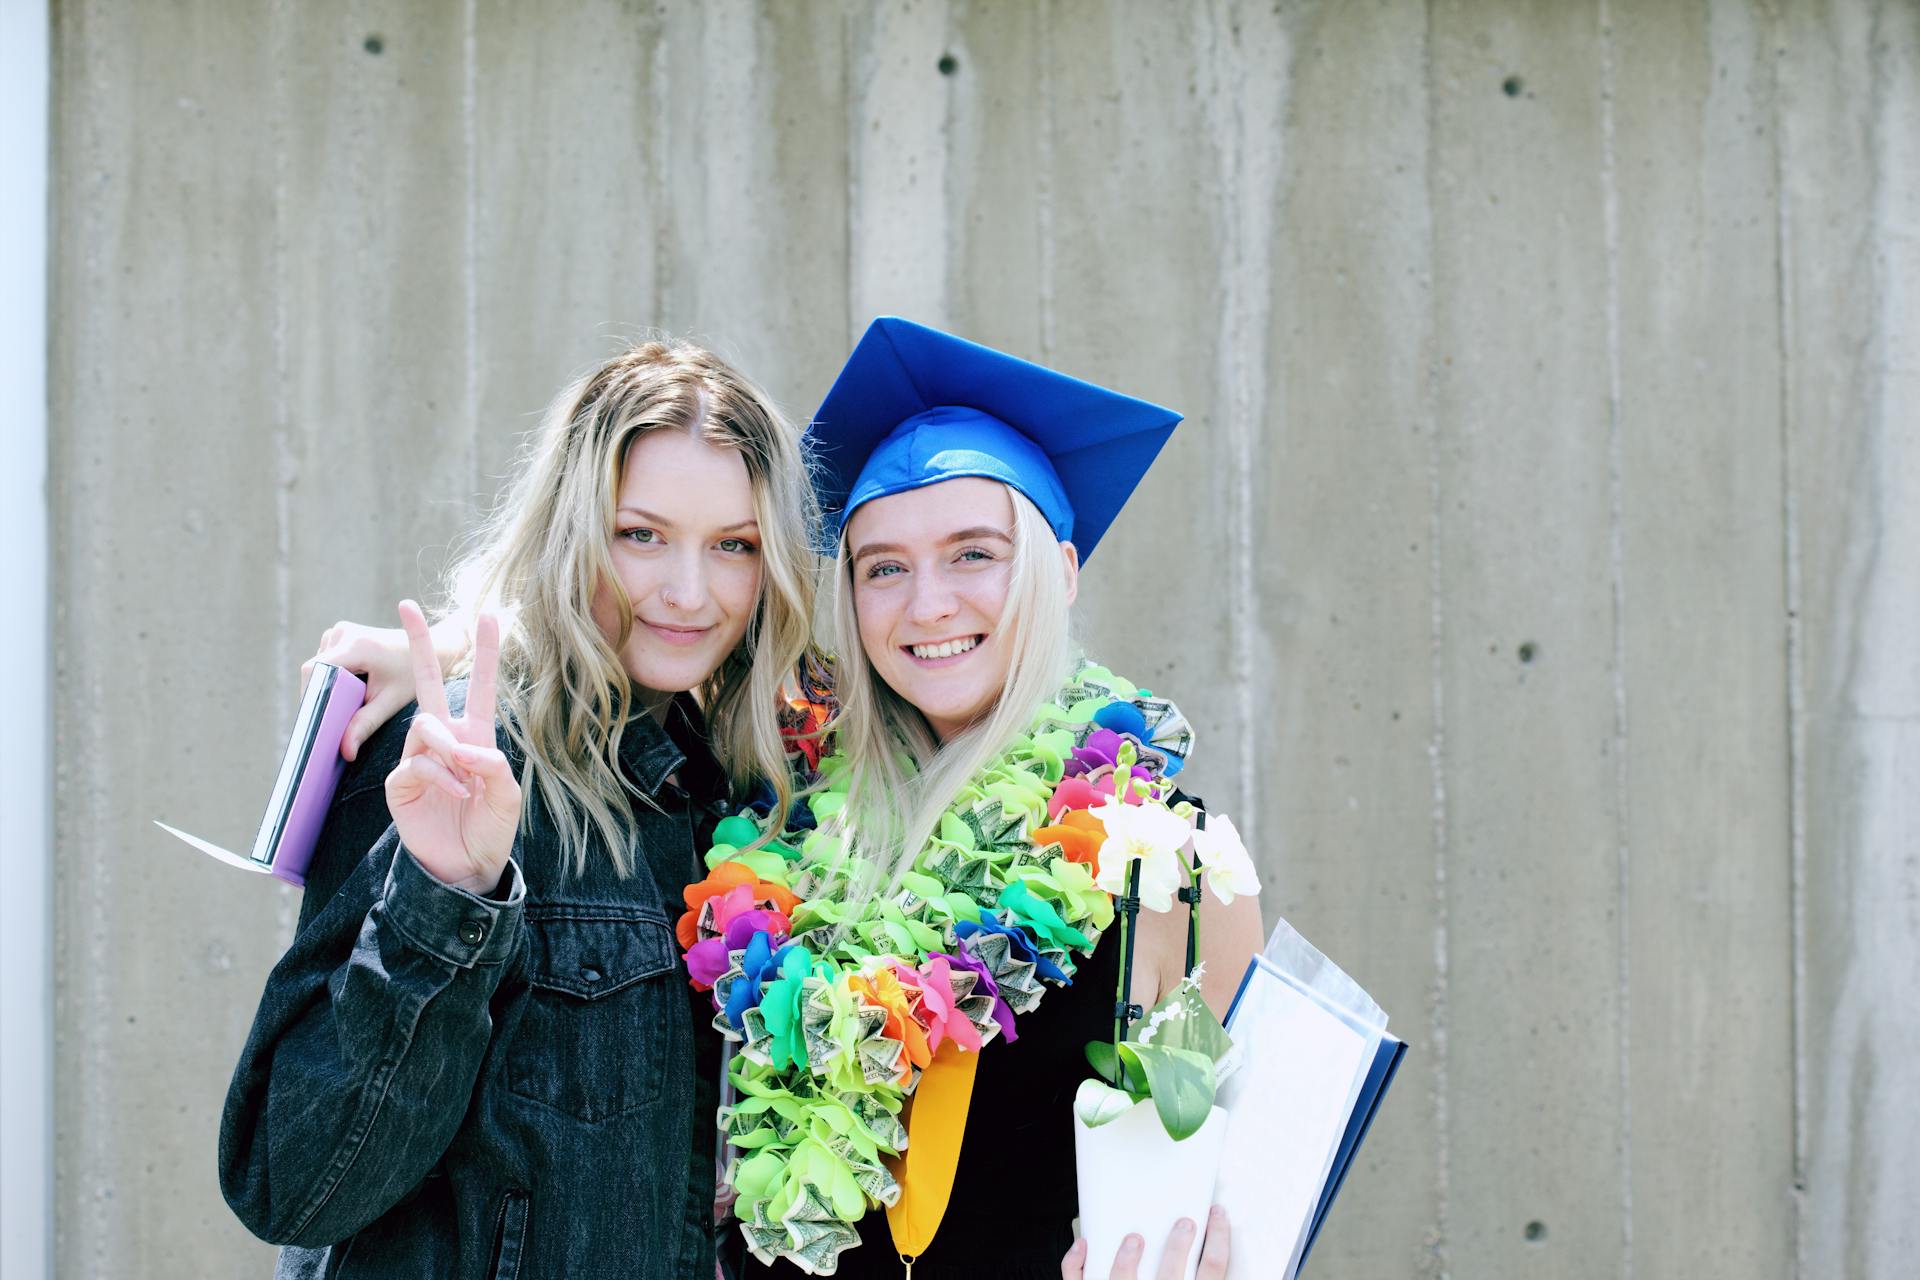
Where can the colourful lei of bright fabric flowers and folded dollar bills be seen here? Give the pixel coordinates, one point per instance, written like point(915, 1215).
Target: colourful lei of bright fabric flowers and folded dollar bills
point(836, 1016)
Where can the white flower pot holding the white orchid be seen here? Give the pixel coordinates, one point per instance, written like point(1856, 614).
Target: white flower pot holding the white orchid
point(1136, 1179)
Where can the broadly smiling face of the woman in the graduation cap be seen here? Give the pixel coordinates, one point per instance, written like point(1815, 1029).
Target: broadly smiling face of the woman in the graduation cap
point(930, 582)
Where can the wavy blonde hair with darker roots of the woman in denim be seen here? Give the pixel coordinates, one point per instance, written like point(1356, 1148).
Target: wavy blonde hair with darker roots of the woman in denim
point(546, 552)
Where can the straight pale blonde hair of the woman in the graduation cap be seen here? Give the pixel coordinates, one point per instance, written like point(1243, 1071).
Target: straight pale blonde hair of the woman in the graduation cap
point(901, 776)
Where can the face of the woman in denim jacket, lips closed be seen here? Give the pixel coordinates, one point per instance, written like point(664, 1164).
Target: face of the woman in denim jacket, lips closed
point(686, 550)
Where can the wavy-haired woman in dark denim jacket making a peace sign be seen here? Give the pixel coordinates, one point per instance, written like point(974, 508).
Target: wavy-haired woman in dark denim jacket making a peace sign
point(481, 1055)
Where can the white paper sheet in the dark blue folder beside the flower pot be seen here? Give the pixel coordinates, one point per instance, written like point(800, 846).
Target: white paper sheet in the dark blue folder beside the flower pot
point(1301, 1068)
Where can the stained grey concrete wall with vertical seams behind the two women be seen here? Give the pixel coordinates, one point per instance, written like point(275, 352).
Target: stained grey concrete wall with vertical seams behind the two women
point(1541, 557)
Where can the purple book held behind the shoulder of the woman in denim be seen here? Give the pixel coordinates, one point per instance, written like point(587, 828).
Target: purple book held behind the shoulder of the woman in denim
point(304, 790)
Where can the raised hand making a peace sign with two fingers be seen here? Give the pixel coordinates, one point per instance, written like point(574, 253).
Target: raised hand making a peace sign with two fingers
point(454, 797)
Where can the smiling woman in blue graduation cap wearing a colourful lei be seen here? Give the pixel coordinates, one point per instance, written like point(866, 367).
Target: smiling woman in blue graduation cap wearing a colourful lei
point(909, 1033)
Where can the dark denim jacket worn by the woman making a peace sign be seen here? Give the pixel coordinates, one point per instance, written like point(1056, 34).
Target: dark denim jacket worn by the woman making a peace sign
point(487, 1087)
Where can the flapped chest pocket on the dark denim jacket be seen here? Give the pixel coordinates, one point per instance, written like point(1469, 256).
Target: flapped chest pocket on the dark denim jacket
point(600, 1010)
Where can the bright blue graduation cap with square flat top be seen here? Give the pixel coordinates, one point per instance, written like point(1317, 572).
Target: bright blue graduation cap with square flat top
point(917, 406)
